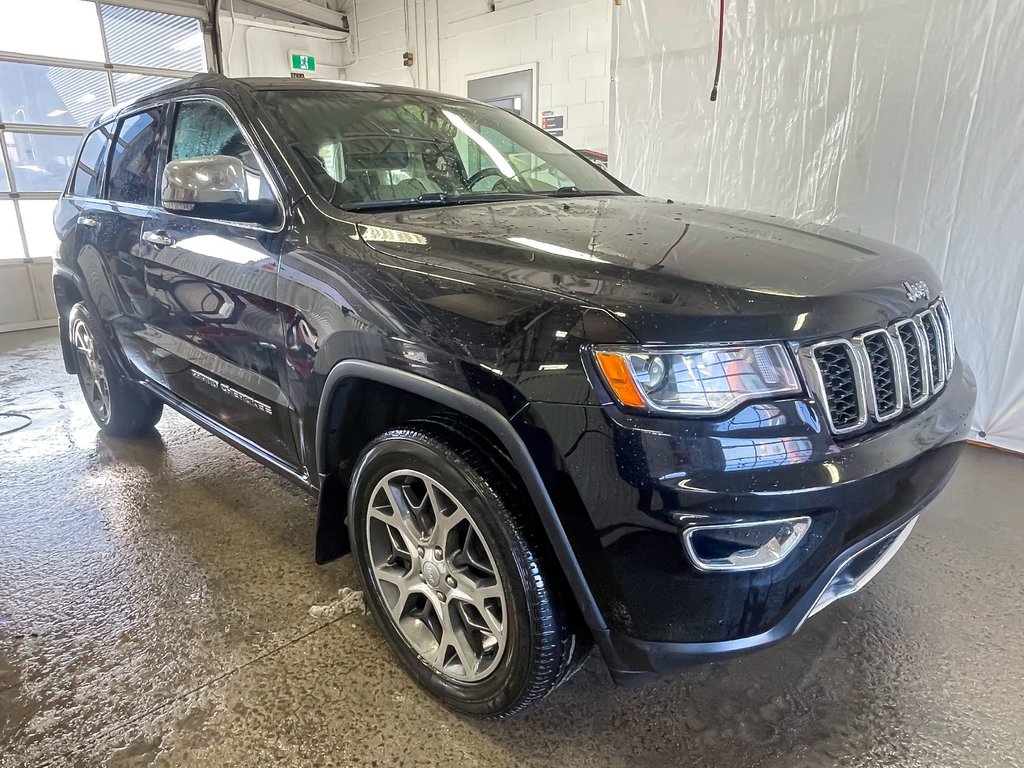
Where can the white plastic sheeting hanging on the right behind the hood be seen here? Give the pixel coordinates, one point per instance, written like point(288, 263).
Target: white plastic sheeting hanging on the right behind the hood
point(900, 120)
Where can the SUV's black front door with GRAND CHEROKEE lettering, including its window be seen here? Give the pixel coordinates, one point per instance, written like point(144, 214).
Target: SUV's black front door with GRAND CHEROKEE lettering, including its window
point(217, 323)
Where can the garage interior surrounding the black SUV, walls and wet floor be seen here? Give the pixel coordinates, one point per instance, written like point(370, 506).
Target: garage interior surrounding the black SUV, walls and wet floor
point(159, 602)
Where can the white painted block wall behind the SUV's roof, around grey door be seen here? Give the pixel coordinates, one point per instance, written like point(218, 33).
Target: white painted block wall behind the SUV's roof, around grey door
point(569, 40)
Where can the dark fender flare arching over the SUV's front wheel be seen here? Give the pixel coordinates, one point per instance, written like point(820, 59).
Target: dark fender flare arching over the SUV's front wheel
point(330, 526)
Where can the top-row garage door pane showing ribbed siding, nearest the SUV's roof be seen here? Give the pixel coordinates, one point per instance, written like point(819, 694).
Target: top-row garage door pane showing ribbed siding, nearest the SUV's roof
point(146, 38)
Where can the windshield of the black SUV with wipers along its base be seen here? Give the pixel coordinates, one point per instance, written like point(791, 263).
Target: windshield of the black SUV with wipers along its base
point(375, 150)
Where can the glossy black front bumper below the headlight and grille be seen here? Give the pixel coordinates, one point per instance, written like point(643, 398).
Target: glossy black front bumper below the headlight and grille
point(626, 489)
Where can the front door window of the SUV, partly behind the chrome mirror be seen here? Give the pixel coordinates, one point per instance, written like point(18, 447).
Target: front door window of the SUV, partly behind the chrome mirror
point(205, 129)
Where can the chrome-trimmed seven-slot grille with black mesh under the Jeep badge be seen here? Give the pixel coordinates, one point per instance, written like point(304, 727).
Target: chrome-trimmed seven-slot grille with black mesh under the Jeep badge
point(884, 372)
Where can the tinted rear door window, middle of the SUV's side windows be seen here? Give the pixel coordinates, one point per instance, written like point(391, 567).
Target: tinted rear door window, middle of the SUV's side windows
point(134, 163)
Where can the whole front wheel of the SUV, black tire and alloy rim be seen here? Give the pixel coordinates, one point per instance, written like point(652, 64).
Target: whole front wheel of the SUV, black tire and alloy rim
point(455, 577)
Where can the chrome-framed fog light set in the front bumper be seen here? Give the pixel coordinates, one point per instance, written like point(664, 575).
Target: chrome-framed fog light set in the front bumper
point(744, 546)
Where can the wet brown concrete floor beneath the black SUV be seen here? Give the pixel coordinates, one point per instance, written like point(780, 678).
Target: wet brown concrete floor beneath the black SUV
point(154, 611)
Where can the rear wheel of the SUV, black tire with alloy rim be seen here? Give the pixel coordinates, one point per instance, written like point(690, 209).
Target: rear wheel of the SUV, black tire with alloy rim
point(119, 406)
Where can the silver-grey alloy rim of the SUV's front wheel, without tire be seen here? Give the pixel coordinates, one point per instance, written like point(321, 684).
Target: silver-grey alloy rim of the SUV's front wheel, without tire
point(437, 576)
